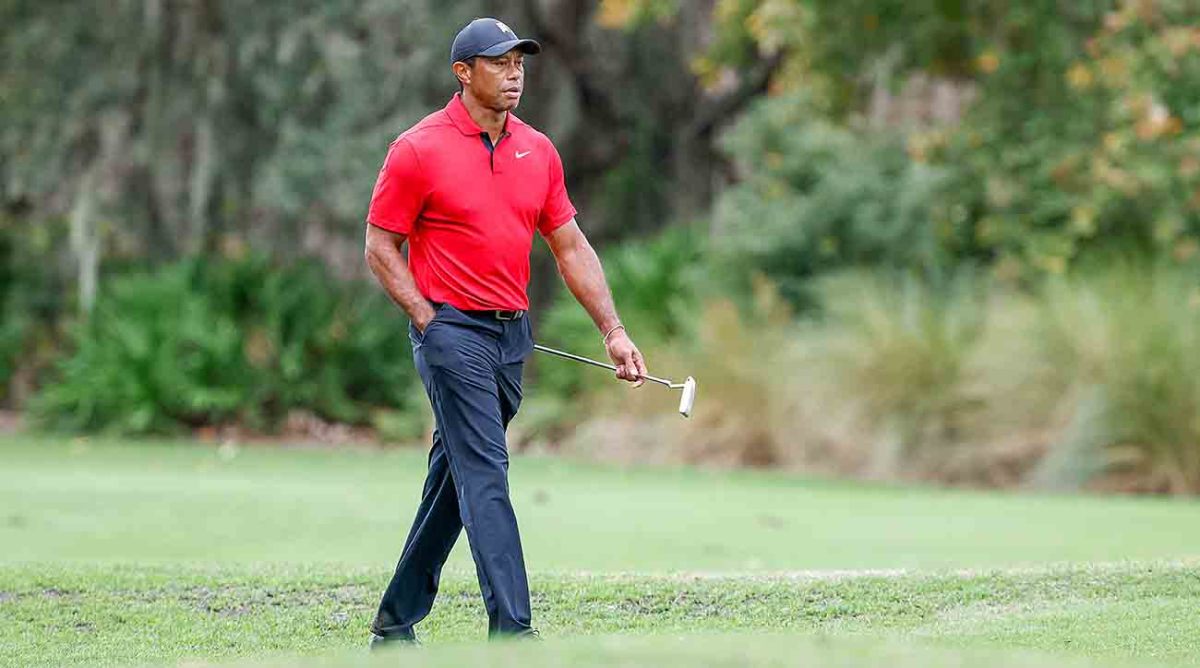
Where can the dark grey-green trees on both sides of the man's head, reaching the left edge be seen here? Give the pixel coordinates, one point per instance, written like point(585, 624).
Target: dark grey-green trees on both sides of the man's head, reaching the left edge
point(188, 127)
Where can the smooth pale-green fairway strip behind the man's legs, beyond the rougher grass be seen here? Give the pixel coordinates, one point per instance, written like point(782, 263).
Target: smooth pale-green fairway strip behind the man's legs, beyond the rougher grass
point(153, 503)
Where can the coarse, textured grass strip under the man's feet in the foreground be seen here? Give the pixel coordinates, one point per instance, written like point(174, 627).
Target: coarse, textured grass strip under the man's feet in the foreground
point(113, 616)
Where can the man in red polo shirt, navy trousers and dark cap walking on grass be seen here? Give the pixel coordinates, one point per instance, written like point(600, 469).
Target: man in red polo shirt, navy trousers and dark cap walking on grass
point(466, 188)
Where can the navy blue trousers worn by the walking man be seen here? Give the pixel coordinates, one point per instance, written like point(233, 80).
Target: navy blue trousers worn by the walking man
point(471, 366)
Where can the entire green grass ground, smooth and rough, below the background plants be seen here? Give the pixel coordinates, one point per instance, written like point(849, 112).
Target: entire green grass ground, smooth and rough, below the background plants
point(157, 553)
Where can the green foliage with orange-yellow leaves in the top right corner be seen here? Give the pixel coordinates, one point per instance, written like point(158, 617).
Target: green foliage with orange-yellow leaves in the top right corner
point(1090, 141)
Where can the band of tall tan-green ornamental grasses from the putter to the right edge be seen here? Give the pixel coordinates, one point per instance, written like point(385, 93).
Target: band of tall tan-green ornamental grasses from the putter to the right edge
point(1091, 380)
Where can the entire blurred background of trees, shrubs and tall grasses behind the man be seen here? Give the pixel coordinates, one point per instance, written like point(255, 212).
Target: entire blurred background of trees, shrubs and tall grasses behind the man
point(923, 240)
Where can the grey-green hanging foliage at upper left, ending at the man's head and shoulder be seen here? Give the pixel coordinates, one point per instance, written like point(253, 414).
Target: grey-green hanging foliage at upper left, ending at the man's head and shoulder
point(202, 118)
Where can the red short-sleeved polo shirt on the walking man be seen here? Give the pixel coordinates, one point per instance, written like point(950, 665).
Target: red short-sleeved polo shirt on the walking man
point(470, 214)
